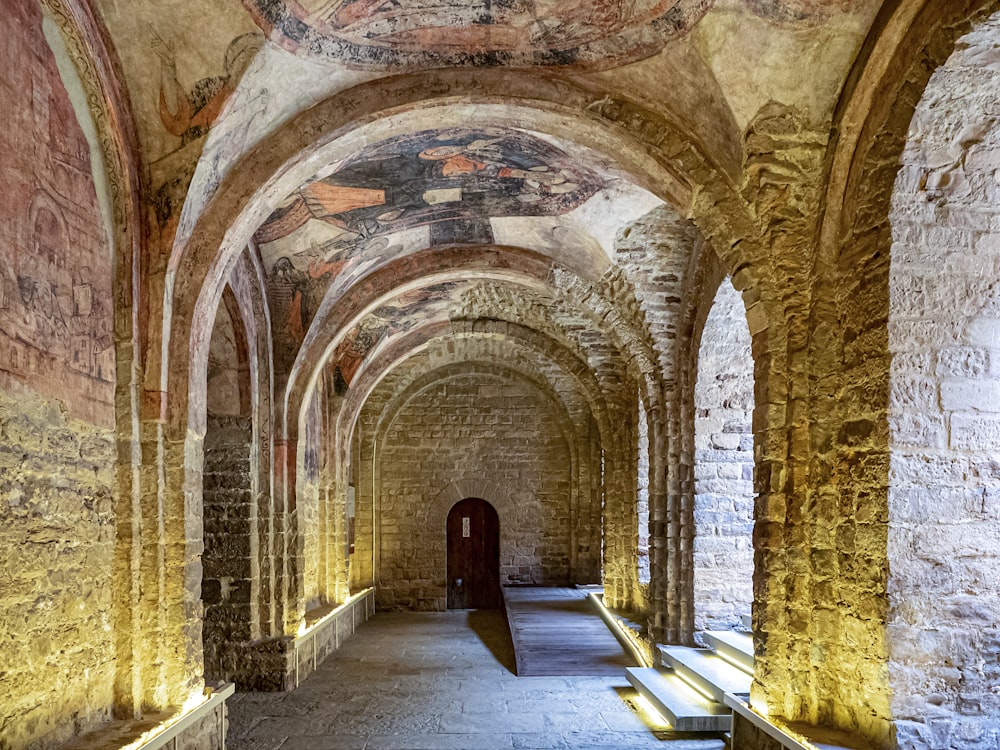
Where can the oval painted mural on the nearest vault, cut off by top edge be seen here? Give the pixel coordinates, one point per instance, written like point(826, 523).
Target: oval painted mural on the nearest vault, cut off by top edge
point(394, 33)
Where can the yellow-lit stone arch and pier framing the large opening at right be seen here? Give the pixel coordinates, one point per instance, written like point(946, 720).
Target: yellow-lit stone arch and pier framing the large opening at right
point(849, 358)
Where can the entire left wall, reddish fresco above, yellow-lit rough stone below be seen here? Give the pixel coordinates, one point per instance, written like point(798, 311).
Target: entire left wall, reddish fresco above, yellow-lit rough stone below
point(57, 369)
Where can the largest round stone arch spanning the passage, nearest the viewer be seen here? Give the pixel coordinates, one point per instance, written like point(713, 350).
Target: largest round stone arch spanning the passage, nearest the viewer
point(205, 252)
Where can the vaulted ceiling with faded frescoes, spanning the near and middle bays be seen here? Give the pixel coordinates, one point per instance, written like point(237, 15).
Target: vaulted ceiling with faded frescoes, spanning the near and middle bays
point(452, 208)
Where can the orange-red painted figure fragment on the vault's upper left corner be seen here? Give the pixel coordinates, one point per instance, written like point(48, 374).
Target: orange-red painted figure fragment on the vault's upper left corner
point(189, 114)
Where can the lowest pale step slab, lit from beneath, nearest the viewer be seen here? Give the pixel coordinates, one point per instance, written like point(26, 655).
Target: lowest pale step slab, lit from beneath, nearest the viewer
point(685, 708)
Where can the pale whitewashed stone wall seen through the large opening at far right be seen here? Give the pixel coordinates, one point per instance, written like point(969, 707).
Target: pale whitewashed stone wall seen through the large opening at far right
point(944, 335)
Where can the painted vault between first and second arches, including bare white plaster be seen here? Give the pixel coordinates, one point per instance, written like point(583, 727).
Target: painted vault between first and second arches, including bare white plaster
point(431, 188)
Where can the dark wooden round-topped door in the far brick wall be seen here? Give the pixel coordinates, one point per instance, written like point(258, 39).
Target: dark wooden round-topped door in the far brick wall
point(473, 555)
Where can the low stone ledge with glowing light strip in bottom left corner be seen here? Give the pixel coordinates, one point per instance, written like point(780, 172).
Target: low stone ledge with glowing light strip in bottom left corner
point(202, 725)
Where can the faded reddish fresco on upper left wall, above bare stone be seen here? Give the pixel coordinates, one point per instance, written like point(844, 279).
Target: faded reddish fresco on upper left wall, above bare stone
point(56, 329)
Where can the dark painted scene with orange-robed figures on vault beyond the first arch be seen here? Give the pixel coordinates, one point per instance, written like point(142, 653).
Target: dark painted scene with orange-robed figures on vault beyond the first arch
point(451, 180)
